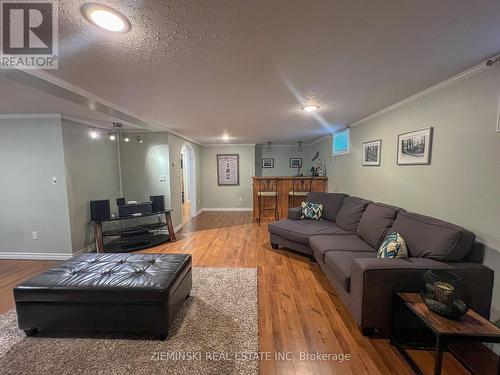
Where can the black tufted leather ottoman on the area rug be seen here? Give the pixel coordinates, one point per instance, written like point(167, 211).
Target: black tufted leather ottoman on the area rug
point(111, 292)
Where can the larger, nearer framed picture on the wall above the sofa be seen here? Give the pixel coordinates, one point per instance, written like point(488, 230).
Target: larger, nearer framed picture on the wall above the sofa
point(415, 147)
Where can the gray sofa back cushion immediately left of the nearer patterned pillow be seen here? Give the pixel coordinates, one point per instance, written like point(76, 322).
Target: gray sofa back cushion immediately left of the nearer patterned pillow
point(375, 222)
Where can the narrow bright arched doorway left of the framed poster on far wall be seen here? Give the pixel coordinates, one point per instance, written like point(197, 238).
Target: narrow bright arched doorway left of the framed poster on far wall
point(188, 183)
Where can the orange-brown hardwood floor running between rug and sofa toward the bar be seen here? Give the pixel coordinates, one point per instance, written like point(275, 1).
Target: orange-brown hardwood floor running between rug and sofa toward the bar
point(298, 310)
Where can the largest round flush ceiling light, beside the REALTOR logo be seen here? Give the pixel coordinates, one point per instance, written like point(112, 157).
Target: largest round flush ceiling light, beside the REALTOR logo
point(105, 17)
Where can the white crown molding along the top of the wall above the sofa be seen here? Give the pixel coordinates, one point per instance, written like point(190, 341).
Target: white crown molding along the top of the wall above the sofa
point(428, 91)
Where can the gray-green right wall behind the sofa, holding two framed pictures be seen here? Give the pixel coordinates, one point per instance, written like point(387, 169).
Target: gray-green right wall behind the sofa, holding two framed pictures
point(462, 184)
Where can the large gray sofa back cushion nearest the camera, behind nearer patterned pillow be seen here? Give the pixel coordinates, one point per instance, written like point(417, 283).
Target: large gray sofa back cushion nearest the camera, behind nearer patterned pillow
point(427, 237)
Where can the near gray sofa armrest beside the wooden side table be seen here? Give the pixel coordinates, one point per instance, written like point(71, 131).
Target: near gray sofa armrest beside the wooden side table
point(374, 282)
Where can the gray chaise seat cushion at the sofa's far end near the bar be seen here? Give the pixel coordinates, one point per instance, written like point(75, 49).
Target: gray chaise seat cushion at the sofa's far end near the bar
point(301, 230)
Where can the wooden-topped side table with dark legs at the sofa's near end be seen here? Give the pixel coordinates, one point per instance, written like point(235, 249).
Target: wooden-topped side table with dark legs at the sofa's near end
point(470, 327)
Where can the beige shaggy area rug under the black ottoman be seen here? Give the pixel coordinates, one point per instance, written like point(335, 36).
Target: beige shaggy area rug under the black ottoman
point(216, 325)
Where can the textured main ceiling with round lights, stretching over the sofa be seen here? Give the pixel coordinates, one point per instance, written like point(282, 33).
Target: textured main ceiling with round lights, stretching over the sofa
point(202, 68)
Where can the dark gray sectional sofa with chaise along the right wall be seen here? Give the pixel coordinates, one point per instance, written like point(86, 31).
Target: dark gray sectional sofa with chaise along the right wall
point(345, 242)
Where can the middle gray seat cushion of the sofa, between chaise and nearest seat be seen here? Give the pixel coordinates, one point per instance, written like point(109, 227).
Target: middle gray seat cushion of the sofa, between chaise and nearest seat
point(339, 242)
